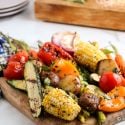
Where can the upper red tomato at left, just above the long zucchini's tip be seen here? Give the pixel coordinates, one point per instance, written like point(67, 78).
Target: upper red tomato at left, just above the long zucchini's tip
point(21, 56)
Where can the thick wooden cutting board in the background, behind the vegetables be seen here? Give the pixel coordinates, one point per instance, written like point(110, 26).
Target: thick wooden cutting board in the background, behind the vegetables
point(94, 13)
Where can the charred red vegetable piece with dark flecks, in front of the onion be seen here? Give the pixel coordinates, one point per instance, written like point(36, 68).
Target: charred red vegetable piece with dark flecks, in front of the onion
point(49, 52)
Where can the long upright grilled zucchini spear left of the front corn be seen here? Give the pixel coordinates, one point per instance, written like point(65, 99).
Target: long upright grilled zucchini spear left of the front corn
point(33, 88)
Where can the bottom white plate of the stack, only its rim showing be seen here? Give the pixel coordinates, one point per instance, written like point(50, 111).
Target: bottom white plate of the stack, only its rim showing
point(12, 12)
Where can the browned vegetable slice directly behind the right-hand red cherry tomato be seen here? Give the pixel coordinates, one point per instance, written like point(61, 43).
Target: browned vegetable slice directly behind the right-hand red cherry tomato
point(106, 65)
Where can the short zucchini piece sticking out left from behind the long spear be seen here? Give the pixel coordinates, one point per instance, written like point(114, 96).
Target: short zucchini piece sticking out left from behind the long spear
point(18, 84)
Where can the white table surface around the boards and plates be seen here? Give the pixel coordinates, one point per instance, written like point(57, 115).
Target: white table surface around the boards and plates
point(26, 27)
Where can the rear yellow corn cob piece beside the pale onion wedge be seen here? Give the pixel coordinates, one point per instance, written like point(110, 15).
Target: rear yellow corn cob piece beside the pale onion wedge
point(88, 55)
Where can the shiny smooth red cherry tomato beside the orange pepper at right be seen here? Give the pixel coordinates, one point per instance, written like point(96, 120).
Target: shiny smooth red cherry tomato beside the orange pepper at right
point(109, 80)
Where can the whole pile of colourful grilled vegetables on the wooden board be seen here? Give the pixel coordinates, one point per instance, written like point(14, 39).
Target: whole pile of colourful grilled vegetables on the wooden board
point(68, 78)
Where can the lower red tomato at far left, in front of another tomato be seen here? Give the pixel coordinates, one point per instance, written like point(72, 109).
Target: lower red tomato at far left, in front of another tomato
point(14, 70)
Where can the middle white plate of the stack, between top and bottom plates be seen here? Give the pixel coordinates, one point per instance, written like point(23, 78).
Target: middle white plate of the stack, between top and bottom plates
point(14, 8)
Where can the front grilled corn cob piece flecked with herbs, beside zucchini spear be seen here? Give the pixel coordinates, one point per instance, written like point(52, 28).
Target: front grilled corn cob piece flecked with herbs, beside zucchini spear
point(61, 105)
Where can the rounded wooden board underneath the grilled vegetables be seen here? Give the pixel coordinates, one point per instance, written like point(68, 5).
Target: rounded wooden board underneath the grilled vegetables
point(19, 100)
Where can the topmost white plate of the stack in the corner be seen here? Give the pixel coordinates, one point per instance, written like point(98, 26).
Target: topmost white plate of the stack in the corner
point(10, 3)
